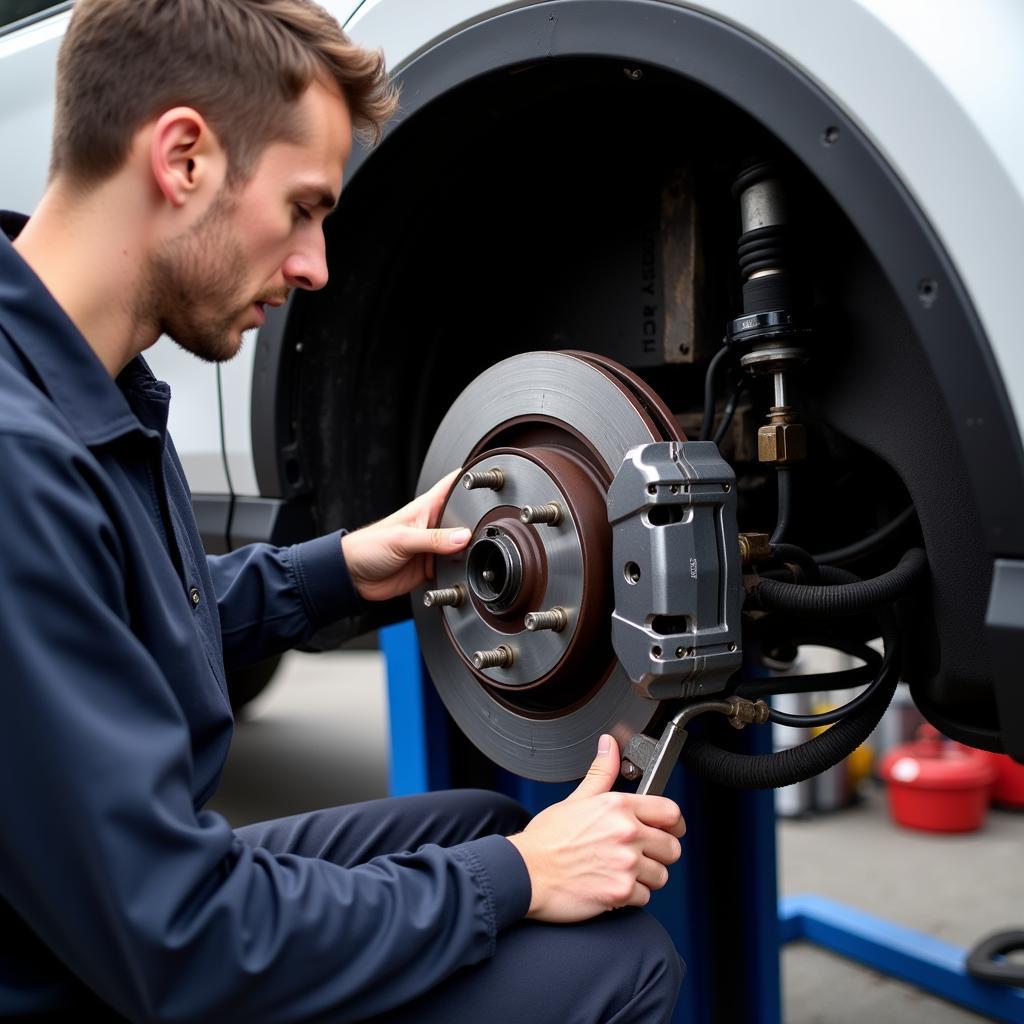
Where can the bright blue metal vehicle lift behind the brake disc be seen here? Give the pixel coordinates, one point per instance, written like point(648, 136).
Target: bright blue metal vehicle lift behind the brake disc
point(721, 906)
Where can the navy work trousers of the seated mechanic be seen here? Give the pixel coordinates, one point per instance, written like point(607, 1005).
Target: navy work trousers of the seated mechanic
point(621, 967)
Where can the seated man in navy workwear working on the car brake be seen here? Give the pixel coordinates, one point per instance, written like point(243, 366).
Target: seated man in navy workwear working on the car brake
point(199, 146)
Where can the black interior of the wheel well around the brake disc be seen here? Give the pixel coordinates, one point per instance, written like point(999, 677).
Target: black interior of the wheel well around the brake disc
point(517, 211)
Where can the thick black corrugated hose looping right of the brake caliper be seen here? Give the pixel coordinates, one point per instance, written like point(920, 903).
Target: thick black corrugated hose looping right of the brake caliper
point(846, 595)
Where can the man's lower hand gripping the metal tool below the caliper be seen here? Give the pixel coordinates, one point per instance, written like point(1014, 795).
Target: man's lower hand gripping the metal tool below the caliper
point(600, 850)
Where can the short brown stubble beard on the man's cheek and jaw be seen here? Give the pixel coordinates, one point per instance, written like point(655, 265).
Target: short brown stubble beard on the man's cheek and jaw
point(195, 286)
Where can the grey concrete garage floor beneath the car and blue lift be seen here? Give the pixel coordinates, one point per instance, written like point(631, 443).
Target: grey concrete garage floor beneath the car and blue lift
point(319, 737)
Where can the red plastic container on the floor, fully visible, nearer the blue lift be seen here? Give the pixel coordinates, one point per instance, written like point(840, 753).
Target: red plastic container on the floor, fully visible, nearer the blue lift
point(936, 785)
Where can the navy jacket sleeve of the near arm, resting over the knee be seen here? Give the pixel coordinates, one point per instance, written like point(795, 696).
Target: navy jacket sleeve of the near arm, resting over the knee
point(157, 908)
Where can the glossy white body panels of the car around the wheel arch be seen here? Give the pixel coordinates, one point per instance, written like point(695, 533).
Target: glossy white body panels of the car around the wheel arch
point(937, 88)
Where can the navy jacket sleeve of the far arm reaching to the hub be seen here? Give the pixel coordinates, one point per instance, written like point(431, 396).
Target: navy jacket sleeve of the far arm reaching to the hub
point(271, 600)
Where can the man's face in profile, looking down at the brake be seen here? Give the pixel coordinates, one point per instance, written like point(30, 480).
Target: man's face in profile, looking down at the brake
point(258, 241)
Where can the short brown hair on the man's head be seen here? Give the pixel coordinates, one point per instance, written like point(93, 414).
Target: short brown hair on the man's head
point(241, 64)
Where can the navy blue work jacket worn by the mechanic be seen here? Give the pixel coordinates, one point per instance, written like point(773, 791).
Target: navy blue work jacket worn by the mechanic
point(115, 629)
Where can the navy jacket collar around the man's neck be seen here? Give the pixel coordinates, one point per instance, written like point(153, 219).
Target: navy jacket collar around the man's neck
point(99, 409)
